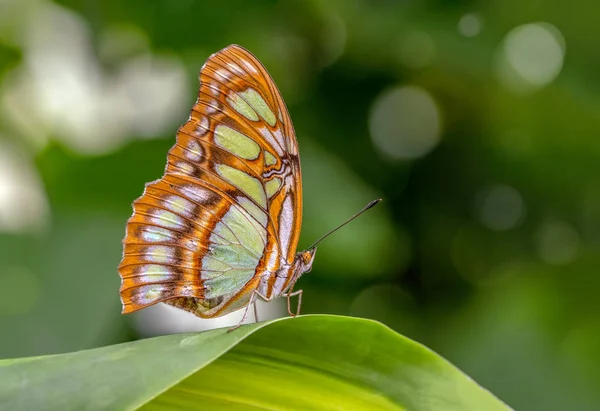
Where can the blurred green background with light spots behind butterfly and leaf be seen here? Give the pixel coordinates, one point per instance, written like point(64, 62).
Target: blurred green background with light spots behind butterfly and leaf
point(478, 122)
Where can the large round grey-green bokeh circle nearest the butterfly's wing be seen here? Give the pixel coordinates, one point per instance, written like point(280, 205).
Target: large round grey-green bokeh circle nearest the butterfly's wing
point(405, 123)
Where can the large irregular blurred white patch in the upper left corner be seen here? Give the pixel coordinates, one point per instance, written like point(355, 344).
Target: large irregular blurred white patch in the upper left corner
point(61, 91)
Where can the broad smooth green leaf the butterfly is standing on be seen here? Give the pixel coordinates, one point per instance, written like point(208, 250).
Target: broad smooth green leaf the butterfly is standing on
point(315, 362)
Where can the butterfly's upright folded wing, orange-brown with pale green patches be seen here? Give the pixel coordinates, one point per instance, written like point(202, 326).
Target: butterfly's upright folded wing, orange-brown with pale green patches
point(227, 212)
